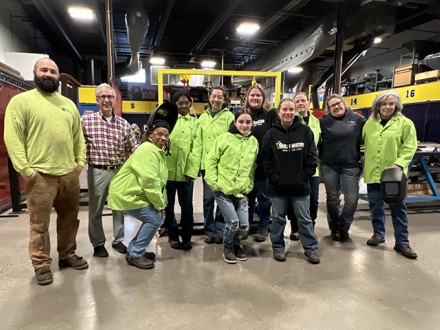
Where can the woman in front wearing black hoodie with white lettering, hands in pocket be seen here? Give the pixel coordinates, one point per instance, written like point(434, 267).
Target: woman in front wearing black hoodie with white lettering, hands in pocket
point(289, 159)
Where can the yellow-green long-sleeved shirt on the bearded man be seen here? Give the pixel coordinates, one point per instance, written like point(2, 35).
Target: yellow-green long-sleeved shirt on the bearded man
point(44, 134)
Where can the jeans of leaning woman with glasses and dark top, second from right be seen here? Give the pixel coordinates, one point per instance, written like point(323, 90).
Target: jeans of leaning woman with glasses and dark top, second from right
point(346, 178)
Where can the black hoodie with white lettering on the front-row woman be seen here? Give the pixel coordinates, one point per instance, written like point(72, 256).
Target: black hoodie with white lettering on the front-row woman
point(289, 158)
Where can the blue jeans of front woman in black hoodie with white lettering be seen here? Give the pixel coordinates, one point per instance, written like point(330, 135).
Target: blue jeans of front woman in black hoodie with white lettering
point(300, 205)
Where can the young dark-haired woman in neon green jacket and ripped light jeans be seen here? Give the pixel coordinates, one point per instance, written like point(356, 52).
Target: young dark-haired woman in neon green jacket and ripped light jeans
point(230, 168)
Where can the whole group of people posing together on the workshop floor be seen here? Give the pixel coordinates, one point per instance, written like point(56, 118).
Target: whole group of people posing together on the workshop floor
point(257, 153)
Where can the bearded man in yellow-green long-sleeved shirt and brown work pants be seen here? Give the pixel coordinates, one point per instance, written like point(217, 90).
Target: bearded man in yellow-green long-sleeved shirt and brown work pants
point(45, 142)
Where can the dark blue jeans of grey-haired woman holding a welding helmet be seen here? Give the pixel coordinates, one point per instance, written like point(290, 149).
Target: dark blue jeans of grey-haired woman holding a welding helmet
point(398, 214)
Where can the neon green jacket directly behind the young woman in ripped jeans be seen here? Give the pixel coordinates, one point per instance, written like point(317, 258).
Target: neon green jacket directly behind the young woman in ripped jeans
point(211, 128)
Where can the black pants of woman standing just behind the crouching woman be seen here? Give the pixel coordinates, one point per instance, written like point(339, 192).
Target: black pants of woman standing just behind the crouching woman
point(185, 195)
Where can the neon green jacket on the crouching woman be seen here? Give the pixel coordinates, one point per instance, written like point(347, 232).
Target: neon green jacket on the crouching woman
point(141, 180)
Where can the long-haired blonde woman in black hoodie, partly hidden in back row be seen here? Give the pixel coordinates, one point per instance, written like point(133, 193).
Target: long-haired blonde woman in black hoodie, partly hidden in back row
point(264, 116)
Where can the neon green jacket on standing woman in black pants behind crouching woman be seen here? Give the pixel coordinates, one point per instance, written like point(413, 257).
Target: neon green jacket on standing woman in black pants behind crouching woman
point(186, 149)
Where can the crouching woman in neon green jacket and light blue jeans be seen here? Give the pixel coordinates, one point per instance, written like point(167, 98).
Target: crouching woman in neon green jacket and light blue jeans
point(139, 190)
